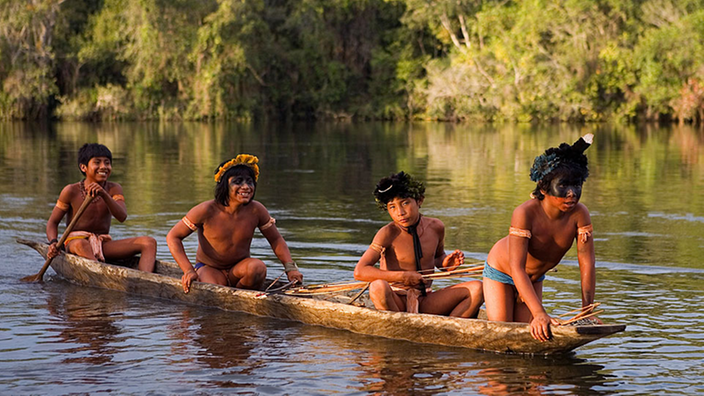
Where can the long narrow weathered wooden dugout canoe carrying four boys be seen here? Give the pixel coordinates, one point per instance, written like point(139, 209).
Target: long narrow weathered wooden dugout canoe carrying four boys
point(469, 333)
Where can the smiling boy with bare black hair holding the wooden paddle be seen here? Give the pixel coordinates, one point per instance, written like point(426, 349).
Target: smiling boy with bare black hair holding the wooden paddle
point(90, 238)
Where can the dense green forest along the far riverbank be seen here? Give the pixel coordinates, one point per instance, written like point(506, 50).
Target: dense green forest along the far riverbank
point(483, 60)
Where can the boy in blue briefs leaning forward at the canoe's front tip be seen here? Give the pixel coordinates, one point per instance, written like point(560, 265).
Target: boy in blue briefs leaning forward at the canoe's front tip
point(542, 231)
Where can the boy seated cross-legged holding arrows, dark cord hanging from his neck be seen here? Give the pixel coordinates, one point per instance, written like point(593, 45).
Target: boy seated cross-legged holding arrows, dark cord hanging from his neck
point(408, 247)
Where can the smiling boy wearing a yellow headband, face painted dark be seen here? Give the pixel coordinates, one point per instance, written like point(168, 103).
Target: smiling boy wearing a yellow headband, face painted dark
point(225, 228)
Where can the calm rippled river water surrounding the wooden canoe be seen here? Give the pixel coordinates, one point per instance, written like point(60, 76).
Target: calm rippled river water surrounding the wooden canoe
point(645, 194)
